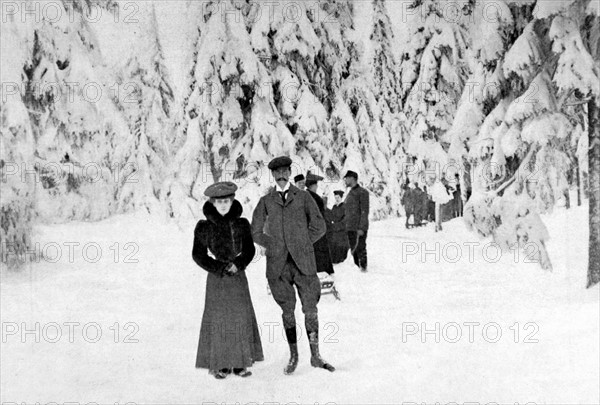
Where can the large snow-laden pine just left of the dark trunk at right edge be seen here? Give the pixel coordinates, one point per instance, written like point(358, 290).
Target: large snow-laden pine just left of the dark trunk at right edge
point(525, 141)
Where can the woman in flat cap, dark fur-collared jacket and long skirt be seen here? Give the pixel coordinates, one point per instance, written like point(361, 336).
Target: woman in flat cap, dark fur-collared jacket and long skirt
point(229, 337)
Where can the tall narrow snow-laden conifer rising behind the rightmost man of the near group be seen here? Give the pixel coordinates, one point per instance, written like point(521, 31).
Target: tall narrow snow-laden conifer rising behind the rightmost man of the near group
point(365, 119)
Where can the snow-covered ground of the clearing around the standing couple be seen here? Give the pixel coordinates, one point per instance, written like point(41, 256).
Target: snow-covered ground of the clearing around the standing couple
point(547, 353)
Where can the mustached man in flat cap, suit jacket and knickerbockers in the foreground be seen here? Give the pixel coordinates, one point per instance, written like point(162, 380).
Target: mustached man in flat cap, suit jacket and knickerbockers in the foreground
point(287, 222)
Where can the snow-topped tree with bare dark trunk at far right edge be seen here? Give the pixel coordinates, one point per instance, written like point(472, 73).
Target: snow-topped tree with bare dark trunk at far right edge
point(575, 36)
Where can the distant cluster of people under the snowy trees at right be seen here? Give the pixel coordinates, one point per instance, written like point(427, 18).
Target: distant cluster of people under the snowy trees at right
point(419, 204)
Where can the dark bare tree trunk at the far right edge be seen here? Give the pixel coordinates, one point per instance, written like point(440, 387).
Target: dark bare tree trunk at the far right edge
point(594, 193)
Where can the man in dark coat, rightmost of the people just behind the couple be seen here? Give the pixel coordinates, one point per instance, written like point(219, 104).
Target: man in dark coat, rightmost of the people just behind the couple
point(357, 219)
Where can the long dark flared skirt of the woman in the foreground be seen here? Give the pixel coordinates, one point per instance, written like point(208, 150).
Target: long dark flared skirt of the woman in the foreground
point(229, 336)
